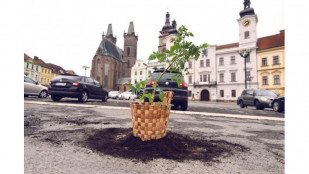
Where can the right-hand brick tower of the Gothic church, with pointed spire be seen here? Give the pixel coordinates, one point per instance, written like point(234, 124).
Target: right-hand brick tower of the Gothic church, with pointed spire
point(129, 50)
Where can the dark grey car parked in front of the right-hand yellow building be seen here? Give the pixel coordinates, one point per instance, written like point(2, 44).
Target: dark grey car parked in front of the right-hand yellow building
point(259, 98)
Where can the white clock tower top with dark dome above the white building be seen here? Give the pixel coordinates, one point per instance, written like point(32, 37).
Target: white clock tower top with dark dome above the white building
point(247, 26)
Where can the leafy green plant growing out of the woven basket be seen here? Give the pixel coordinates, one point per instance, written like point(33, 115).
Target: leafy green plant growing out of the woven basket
point(175, 58)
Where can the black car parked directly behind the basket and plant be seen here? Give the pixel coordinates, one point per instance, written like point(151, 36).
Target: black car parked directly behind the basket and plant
point(166, 84)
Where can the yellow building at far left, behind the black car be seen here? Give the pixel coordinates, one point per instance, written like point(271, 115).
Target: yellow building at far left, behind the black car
point(46, 72)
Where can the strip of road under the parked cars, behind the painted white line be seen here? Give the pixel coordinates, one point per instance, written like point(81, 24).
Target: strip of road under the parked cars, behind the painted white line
point(196, 106)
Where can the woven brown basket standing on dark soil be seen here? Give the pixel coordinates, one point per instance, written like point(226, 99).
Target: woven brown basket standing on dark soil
point(150, 121)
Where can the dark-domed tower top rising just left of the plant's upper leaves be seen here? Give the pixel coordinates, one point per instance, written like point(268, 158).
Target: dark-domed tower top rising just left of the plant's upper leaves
point(167, 30)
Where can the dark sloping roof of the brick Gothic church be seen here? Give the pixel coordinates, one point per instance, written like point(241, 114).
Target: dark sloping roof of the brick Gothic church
point(110, 49)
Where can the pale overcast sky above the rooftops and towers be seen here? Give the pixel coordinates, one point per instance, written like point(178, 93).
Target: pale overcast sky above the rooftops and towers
point(67, 33)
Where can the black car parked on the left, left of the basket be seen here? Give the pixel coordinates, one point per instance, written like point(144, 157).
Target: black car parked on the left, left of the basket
point(74, 86)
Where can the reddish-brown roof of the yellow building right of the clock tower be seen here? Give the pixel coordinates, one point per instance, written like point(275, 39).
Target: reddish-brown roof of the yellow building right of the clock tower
point(272, 41)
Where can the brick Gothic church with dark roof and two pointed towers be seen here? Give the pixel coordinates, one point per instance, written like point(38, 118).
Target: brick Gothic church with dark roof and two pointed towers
point(110, 63)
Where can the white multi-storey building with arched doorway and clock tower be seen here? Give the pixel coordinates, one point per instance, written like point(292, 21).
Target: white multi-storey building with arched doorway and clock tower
point(219, 73)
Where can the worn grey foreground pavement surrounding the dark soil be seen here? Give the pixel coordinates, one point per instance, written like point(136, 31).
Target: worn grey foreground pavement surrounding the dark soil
point(55, 142)
